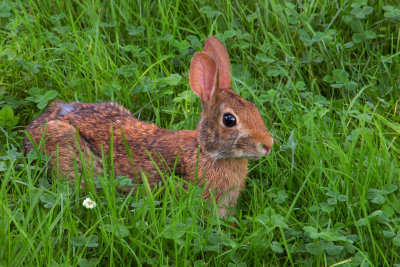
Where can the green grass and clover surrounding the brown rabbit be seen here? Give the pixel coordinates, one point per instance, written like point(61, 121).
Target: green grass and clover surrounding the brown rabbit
point(324, 75)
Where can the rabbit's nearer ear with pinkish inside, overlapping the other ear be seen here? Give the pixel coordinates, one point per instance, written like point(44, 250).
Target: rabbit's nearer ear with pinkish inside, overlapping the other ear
point(203, 76)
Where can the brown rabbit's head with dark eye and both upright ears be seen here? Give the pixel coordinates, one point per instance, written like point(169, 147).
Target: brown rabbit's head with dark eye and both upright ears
point(230, 127)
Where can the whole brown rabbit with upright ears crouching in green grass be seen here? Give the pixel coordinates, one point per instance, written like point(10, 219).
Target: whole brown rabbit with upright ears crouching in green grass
point(230, 131)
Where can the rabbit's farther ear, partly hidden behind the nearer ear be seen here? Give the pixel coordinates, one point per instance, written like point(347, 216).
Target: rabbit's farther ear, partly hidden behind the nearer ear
point(218, 51)
